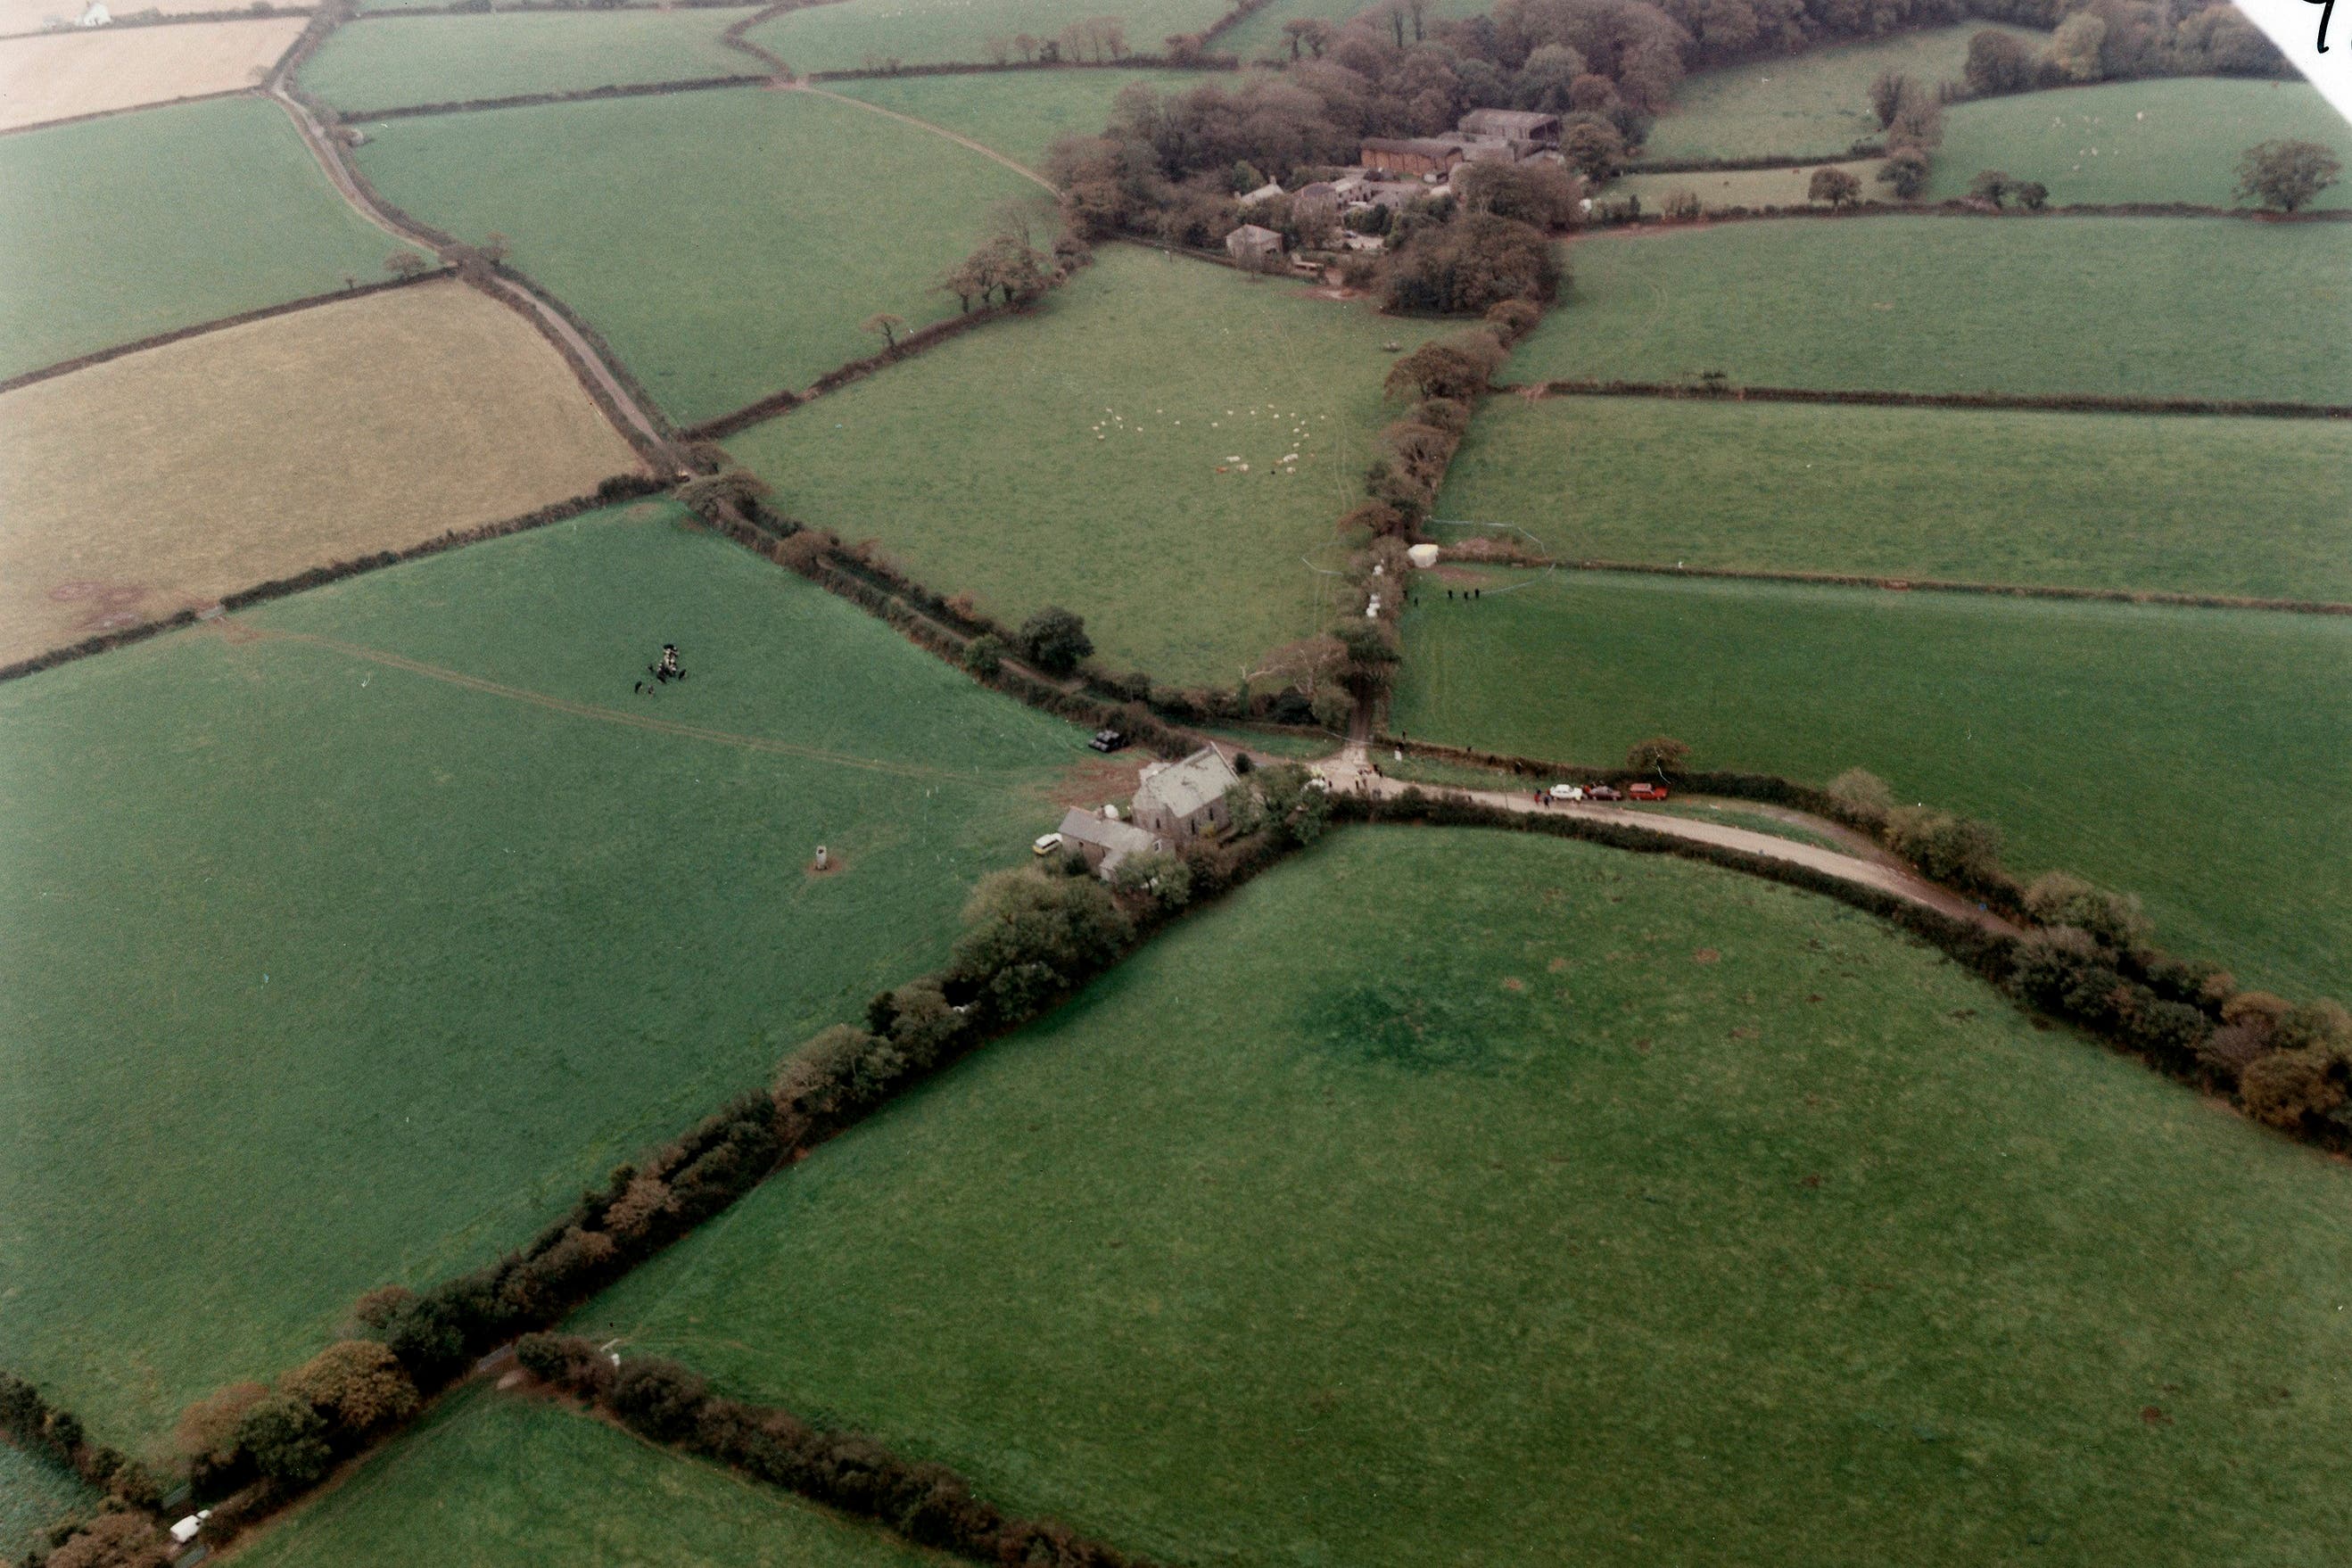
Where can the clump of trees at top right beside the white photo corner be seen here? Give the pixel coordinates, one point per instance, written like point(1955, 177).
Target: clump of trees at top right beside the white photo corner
point(2102, 41)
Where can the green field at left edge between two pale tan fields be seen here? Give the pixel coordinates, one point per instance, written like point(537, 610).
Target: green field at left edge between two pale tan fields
point(166, 220)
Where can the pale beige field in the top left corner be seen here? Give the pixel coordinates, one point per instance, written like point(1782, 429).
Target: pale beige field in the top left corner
point(58, 76)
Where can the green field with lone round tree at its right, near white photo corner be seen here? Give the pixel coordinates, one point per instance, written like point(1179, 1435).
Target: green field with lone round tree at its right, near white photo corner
point(2134, 142)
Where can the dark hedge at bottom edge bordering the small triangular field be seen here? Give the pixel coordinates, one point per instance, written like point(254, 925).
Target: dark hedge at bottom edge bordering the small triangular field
point(926, 1503)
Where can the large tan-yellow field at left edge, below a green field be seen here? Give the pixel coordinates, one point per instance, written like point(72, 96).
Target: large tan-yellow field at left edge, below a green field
point(175, 476)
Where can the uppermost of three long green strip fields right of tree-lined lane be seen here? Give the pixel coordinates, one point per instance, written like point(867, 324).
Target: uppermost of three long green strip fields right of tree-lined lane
point(1960, 307)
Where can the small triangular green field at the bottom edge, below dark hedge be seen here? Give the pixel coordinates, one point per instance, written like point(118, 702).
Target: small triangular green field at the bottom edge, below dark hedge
point(512, 1482)
